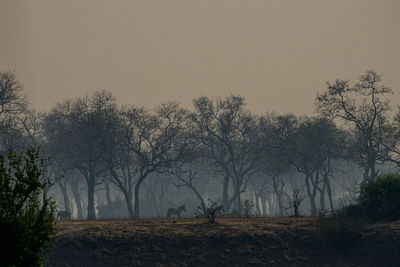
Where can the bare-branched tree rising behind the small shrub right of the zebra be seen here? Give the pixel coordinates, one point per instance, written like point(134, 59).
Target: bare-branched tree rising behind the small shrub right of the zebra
point(229, 136)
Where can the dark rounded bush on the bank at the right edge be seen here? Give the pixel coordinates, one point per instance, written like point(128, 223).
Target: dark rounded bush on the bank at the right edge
point(380, 198)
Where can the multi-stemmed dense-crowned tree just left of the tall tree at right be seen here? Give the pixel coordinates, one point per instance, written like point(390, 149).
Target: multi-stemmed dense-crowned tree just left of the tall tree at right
point(311, 144)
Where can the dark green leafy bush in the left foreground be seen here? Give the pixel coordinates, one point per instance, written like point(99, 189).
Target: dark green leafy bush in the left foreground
point(27, 222)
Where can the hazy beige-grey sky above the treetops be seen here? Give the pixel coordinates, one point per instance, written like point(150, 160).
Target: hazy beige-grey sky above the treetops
point(277, 54)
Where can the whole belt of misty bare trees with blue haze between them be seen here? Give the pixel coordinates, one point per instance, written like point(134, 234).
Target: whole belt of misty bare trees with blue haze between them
point(109, 160)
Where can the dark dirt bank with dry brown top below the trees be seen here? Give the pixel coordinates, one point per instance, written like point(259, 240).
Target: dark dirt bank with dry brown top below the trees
point(229, 242)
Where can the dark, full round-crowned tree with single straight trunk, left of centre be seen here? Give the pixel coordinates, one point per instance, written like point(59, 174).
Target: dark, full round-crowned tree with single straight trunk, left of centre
point(78, 131)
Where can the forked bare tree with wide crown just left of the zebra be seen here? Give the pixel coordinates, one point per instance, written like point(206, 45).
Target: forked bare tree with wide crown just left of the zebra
point(150, 143)
